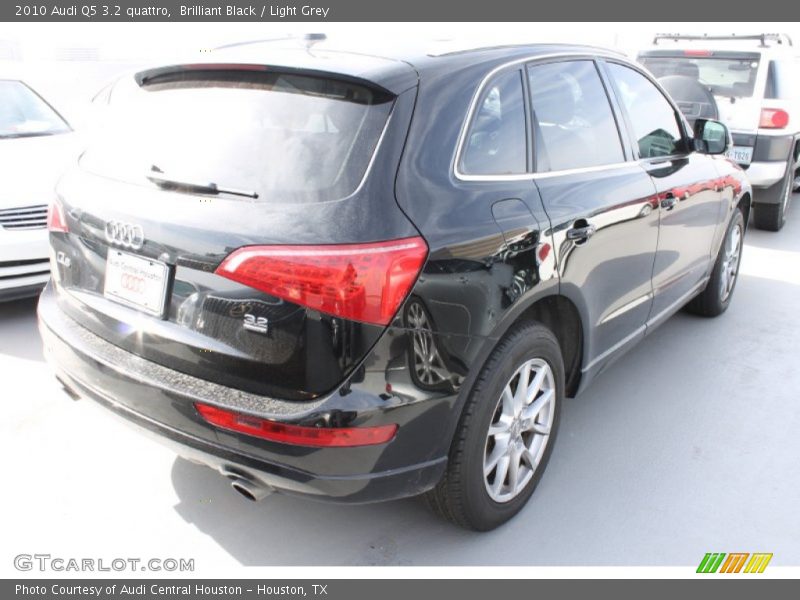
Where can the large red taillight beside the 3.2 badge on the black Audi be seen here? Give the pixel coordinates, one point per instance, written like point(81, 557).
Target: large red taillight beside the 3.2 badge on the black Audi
point(359, 282)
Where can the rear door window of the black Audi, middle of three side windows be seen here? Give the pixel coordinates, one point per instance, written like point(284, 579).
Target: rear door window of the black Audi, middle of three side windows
point(574, 125)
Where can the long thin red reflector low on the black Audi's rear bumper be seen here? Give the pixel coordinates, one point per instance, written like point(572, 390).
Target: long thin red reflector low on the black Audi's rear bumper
point(296, 434)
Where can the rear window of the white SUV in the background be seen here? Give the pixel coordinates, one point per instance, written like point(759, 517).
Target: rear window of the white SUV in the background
point(732, 77)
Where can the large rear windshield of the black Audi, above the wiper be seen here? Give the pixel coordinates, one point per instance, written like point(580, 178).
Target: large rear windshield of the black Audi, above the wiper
point(281, 136)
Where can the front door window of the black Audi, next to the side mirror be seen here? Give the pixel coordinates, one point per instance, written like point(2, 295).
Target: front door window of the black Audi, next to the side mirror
point(654, 122)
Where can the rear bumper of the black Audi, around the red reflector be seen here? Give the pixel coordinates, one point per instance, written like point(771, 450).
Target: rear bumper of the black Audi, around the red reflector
point(161, 404)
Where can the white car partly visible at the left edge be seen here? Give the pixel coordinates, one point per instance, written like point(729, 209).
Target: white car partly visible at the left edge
point(36, 144)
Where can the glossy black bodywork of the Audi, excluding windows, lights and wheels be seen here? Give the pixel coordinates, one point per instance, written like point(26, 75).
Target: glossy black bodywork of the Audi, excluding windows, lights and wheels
point(500, 249)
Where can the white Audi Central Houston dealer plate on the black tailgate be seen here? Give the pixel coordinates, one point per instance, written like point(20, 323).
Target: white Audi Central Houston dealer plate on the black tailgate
point(138, 282)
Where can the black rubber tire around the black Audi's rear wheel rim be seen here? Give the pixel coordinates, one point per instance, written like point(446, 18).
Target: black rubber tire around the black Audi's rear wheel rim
point(461, 496)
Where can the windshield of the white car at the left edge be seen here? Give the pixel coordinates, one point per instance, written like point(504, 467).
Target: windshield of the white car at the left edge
point(24, 114)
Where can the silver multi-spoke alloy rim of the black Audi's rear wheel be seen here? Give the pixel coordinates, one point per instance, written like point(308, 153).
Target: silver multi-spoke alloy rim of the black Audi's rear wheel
point(519, 431)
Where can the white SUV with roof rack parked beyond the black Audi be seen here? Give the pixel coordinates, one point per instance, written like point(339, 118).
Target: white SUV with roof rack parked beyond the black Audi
point(752, 84)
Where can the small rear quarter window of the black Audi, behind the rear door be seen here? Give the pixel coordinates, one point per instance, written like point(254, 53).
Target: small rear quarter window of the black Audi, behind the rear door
point(496, 142)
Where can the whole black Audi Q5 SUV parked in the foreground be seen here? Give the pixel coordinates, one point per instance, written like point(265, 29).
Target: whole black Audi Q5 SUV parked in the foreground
point(359, 276)
